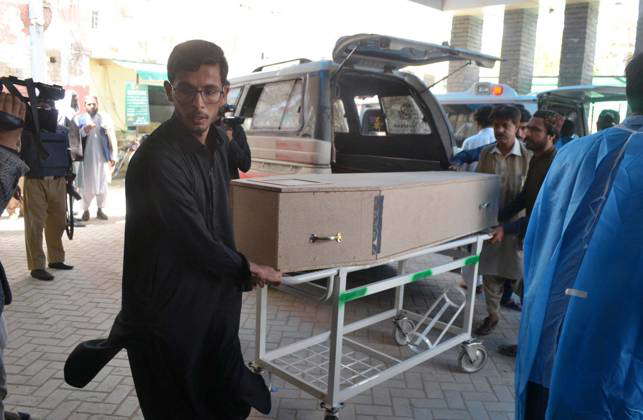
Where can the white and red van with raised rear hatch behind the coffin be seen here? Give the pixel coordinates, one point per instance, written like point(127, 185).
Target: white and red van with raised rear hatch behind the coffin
point(357, 113)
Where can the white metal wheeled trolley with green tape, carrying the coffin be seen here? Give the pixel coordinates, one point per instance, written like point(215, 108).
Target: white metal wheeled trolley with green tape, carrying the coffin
point(335, 368)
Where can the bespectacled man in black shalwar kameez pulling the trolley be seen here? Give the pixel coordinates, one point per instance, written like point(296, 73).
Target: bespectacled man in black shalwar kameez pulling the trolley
point(182, 277)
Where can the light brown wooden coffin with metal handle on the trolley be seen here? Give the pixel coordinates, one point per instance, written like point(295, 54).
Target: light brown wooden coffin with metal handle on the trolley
point(306, 222)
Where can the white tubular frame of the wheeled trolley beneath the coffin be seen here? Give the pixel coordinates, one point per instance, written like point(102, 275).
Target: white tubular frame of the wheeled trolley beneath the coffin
point(330, 391)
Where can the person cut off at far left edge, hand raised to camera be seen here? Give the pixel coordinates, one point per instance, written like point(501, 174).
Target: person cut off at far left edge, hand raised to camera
point(11, 169)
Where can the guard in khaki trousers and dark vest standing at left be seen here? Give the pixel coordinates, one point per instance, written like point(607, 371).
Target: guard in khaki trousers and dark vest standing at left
point(45, 194)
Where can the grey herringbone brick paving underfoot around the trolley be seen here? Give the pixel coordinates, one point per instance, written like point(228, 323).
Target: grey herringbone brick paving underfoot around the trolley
point(47, 320)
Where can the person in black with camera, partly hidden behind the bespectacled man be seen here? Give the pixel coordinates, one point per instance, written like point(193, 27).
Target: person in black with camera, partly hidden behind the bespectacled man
point(238, 150)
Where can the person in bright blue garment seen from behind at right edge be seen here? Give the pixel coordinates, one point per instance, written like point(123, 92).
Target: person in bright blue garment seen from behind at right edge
point(581, 338)
